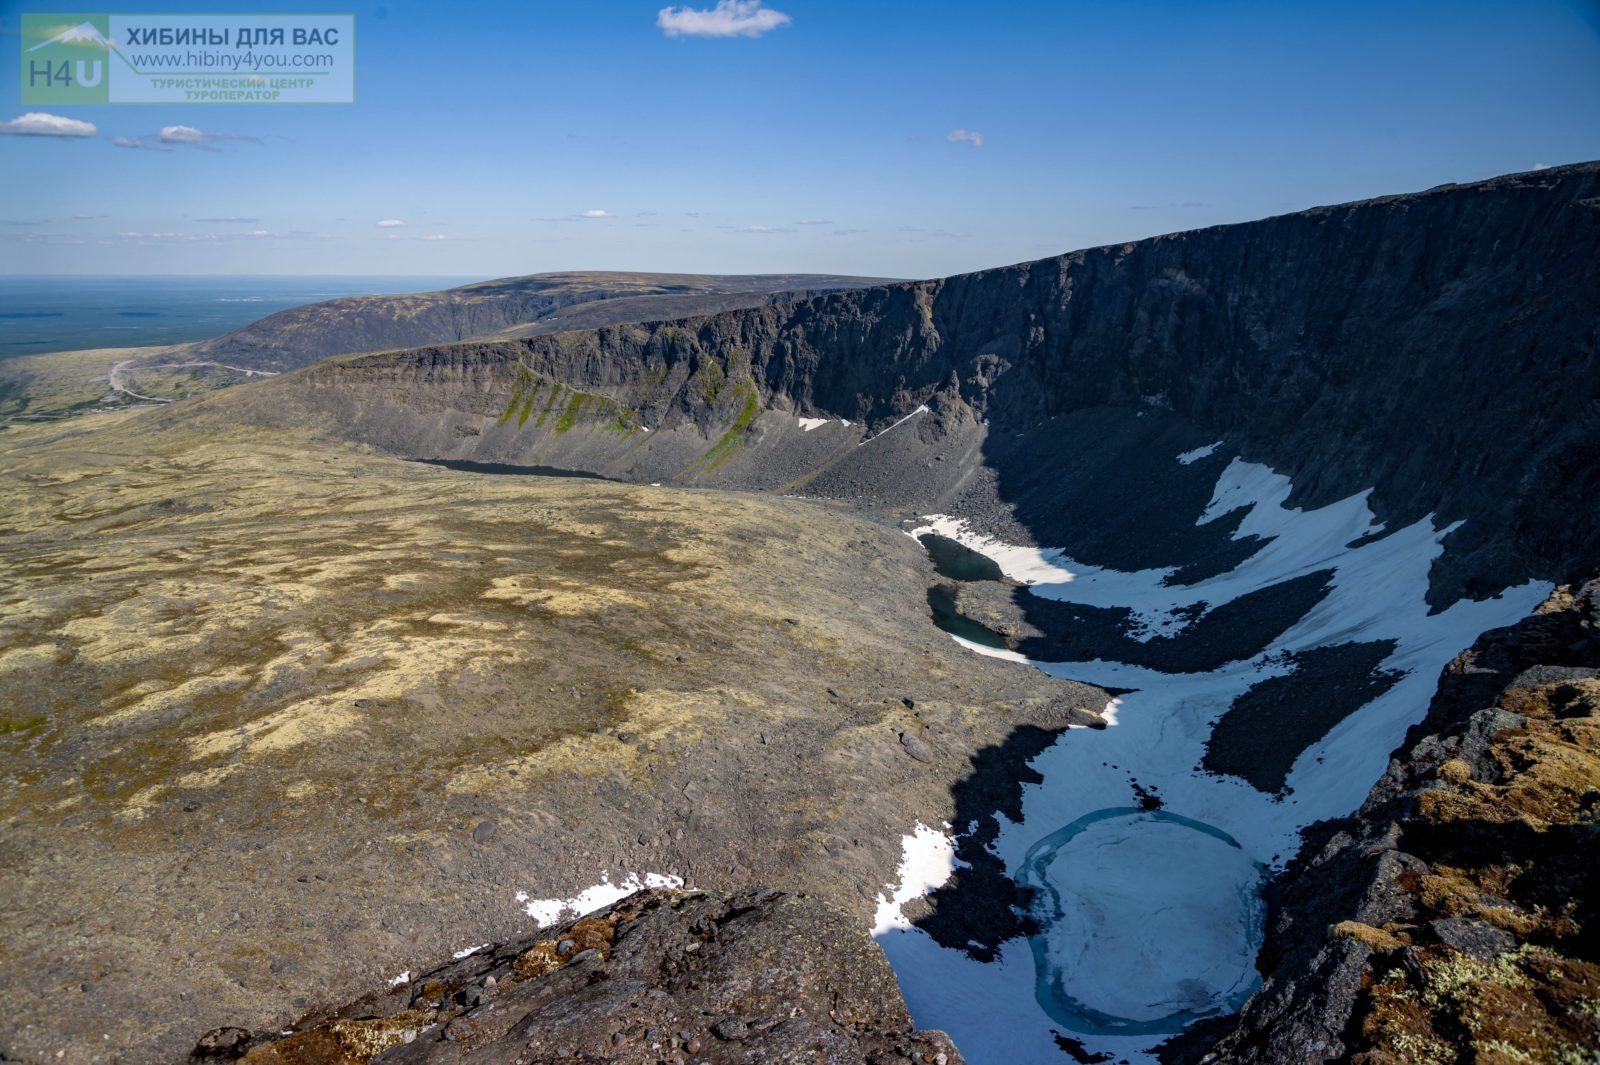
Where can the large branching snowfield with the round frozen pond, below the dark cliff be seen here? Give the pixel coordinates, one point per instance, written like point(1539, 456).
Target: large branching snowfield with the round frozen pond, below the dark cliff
point(1110, 960)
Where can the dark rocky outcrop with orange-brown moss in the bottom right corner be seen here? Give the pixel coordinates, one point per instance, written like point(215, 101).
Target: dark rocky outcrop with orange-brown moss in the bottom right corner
point(1457, 915)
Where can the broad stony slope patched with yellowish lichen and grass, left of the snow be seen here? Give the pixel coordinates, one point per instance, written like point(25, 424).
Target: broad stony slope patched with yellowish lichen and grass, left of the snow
point(260, 692)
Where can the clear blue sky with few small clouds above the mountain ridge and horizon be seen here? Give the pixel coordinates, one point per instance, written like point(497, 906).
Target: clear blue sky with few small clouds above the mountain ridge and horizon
point(820, 143)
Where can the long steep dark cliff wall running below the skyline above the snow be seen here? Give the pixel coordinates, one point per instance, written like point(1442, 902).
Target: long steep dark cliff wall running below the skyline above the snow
point(1438, 348)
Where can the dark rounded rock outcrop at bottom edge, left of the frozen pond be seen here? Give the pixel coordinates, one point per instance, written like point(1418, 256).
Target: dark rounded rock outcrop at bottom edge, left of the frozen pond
point(662, 976)
